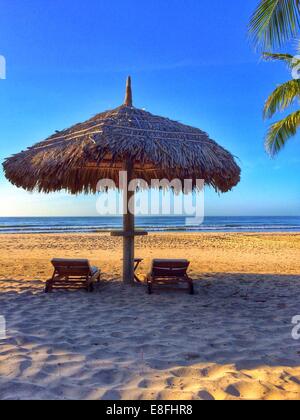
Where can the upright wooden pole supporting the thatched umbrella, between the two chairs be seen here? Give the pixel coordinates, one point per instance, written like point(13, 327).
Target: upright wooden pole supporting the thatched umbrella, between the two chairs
point(128, 228)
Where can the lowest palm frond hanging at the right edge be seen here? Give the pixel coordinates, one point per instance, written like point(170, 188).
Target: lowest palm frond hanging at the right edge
point(280, 132)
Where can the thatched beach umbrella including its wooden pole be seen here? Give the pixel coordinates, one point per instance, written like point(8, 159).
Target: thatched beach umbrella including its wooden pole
point(126, 138)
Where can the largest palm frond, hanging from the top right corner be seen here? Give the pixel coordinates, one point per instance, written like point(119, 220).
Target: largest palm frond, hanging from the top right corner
point(274, 22)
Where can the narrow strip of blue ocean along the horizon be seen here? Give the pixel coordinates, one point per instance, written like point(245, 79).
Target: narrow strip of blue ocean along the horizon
point(151, 224)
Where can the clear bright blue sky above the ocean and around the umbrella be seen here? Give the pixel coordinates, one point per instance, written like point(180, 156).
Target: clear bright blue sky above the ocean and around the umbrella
point(190, 60)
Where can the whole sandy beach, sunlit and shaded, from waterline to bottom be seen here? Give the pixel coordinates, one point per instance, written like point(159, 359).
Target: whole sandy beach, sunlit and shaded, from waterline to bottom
point(231, 340)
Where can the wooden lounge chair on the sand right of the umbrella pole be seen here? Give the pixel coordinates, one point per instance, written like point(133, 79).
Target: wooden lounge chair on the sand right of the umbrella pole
point(169, 272)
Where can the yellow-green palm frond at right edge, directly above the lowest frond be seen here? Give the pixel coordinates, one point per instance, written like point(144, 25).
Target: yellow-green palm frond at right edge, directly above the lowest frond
point(282, 98)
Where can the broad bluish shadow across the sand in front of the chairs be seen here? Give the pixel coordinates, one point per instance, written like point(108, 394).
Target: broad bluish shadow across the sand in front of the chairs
point(106, 338)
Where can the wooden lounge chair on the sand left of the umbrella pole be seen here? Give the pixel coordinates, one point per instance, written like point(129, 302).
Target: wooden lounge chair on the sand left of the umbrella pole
point(73, 274)
